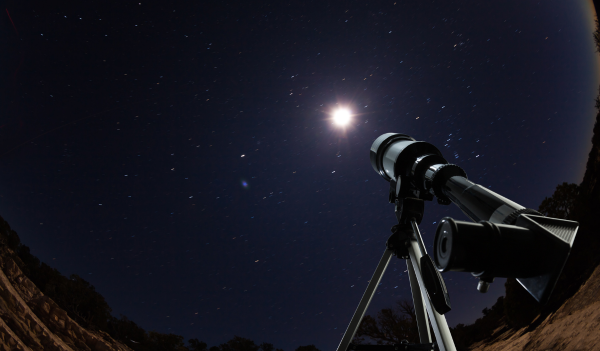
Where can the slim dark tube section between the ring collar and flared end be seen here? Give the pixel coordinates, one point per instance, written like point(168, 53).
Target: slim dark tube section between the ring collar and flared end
point(477, 202)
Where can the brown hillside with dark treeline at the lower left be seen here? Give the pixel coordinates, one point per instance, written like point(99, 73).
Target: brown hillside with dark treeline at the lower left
point(41, 309)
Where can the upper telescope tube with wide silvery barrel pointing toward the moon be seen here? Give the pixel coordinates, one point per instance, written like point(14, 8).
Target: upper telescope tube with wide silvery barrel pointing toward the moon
point(420, 167)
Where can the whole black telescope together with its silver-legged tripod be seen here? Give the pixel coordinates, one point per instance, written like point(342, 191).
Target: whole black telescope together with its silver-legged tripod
point(504, 238)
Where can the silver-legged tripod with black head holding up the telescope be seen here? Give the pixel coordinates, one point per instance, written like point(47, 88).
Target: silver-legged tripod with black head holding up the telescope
point(429, 293)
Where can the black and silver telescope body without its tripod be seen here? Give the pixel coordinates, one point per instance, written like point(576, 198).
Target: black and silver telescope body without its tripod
point(506, 240)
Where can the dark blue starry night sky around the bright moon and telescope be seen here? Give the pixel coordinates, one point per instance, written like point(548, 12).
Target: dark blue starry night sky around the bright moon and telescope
point(181, 157)
